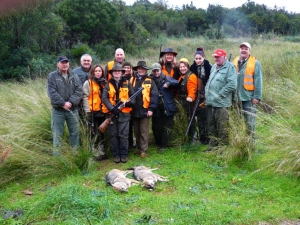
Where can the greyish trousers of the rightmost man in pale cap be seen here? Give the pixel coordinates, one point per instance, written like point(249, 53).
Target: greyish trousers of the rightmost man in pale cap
point(249, 112)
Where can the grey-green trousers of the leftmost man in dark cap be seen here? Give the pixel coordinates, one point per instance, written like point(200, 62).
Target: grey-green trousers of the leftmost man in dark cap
point(59, 117)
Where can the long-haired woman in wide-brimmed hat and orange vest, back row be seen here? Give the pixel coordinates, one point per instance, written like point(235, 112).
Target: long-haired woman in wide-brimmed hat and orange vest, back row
point(168, 63)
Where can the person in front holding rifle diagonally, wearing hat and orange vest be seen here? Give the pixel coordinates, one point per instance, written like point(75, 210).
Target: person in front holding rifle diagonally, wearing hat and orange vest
point(118, 90)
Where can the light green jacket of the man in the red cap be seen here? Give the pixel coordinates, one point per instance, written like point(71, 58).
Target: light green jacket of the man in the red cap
point(221, 85)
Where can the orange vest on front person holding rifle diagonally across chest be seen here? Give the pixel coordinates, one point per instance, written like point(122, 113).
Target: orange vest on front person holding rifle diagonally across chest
point(123, 95)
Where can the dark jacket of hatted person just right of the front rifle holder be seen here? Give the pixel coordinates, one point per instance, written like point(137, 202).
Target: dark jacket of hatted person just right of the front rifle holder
point(138, 109)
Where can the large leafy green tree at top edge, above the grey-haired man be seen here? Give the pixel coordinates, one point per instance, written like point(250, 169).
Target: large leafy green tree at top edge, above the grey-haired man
point(89, 21)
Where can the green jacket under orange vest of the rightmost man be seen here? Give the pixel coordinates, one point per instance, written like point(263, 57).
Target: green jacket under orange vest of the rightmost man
point(242, 93)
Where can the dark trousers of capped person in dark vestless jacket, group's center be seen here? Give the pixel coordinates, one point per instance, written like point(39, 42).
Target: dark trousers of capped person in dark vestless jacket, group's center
point(162, 129)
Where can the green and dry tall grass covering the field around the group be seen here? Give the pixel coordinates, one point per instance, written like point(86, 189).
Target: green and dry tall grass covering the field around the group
point(236, 185)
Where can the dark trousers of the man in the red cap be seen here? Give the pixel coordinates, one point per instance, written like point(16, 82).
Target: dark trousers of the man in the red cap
point(217, 125)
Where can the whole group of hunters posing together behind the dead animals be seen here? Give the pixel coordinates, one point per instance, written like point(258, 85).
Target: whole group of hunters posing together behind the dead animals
point(130, 97)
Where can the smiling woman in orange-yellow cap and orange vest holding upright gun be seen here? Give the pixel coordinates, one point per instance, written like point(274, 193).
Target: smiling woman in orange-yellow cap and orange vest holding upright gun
point(187, 93)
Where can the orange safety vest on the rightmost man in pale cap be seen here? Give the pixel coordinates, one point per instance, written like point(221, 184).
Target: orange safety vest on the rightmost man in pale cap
point(249, 72)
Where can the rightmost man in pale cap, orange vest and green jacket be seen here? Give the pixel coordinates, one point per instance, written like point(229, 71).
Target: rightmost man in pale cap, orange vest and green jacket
point(249, 85)
